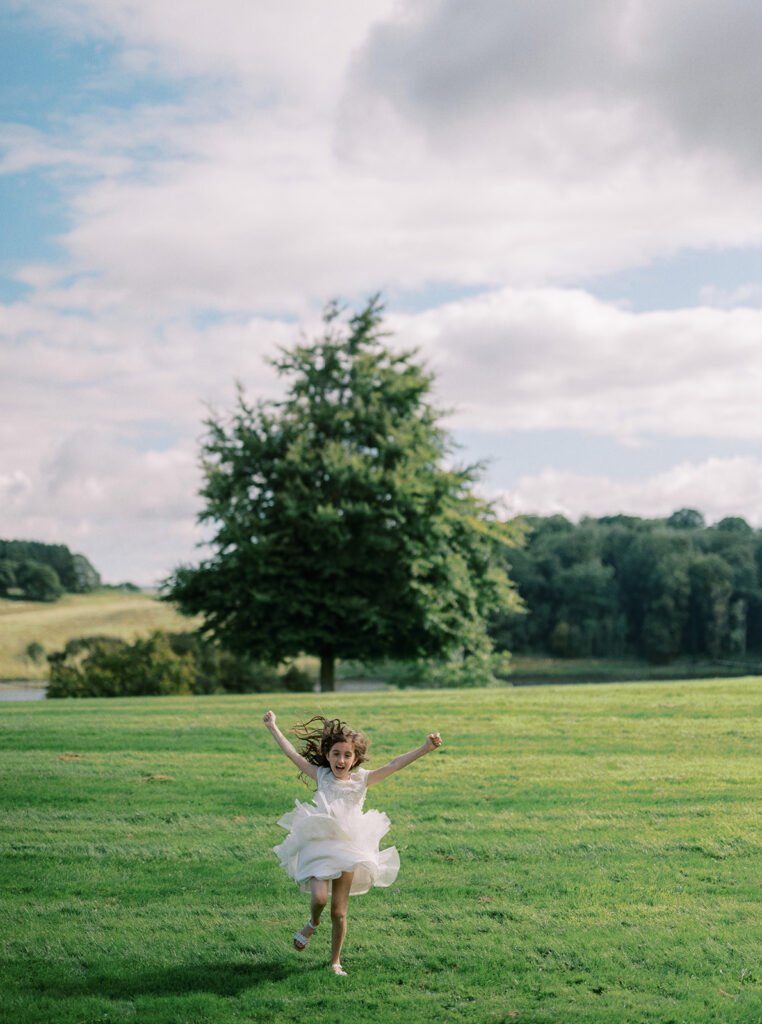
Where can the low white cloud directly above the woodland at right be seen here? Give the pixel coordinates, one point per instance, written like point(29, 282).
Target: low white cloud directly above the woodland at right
point(717, 488)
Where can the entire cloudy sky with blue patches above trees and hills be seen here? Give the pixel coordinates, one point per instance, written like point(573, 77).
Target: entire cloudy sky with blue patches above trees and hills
point(561, 203)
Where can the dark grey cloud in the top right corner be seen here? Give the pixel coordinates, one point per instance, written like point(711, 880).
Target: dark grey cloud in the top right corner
point(691, 72)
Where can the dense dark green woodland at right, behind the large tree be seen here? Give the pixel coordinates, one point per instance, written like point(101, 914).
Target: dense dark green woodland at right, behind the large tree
point(652, 588)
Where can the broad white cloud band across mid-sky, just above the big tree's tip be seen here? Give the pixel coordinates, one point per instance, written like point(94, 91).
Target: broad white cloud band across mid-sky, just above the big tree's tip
point(246, 226)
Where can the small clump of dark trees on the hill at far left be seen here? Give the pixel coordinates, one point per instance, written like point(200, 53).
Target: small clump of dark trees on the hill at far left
point(36, 572)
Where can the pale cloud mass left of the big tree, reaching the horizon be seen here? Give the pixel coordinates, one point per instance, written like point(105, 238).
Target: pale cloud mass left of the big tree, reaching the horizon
point(99, 440)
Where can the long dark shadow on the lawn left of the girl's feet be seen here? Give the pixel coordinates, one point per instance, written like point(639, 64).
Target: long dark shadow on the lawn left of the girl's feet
point(217, 979)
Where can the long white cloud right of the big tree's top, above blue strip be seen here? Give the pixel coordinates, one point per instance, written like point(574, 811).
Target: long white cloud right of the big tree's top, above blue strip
point(555, 359)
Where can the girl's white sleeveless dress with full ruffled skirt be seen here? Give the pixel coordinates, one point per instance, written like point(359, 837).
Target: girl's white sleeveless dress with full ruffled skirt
point(332, 835)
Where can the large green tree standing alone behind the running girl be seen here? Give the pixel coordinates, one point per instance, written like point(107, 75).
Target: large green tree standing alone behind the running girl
point(340, 531)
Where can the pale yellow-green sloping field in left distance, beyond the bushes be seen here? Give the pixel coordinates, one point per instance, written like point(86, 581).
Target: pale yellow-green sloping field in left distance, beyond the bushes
point(104, 614)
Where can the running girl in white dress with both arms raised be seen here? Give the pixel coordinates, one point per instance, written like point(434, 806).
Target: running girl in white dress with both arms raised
point(332, 846)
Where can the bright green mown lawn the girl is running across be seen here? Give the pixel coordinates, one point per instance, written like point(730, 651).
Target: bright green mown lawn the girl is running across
point(572, 855)
